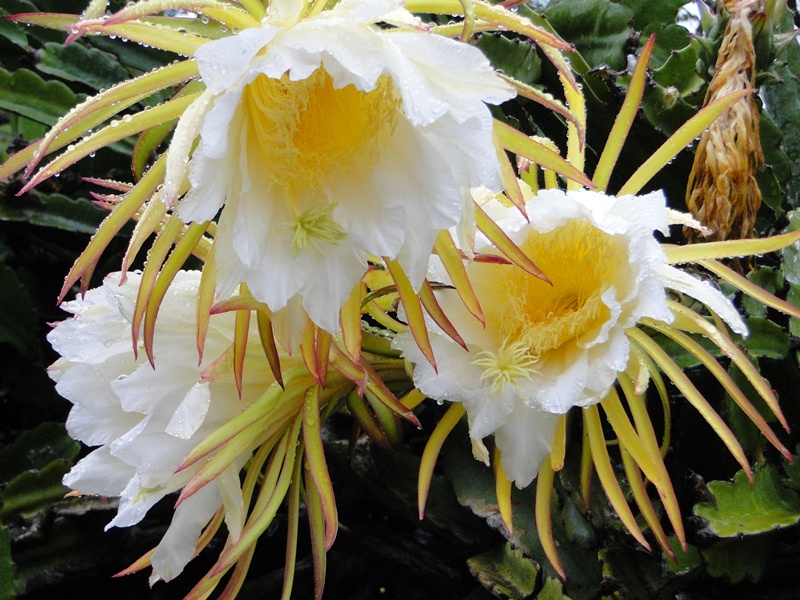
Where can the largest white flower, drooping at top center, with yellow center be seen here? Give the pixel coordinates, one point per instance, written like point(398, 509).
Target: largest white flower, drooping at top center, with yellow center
point(330, 139)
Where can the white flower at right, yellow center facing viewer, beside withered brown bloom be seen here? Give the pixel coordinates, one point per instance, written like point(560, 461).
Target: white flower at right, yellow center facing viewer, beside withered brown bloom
point(547, 348)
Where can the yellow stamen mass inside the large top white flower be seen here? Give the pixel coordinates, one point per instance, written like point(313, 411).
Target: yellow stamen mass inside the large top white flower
point(304, 132)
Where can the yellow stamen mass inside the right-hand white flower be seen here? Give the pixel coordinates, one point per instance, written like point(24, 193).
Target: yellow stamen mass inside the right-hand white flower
point(582, 263)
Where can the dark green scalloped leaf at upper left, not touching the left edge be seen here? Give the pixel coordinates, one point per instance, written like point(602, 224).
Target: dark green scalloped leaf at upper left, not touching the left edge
point(76, 62)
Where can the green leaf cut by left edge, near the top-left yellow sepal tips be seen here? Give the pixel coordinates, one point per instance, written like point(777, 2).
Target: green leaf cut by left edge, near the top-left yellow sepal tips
point(25, 93)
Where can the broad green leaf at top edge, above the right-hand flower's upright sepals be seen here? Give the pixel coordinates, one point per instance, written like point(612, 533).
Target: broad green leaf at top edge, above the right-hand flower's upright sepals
point(599, 29)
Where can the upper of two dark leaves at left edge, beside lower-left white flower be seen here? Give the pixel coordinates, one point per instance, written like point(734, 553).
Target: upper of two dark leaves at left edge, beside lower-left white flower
point(35, 449)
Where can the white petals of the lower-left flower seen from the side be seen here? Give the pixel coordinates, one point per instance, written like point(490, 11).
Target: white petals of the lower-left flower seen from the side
point(146, 420)
